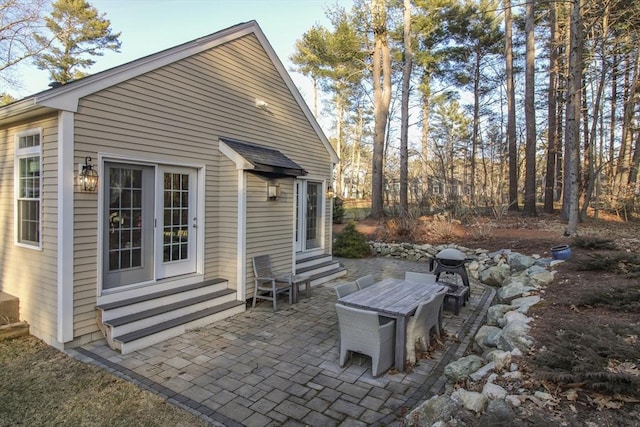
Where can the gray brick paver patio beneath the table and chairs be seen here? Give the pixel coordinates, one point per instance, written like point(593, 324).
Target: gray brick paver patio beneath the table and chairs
point(262, 368)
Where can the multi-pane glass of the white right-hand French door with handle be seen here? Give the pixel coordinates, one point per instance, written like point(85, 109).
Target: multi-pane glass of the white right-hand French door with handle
point(176, 217)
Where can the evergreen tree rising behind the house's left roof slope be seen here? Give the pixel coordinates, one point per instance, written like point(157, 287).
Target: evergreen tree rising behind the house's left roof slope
point(80, 33)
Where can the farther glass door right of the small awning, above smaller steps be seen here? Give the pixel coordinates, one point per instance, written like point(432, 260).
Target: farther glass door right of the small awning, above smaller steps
point(309, 199)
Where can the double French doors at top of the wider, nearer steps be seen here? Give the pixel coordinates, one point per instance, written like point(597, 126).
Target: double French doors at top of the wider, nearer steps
point(150, 223)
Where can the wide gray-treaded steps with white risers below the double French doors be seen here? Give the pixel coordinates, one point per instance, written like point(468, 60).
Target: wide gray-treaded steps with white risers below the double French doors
point(144, 320)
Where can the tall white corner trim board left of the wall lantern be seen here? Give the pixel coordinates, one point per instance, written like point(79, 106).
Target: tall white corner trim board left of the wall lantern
point(65, 187)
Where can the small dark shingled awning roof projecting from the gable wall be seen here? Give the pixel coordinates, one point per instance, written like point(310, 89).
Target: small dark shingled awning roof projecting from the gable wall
point(264, 160)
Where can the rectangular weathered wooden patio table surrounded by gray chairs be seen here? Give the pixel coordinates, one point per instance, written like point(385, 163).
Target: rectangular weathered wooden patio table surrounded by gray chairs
point(394, 298)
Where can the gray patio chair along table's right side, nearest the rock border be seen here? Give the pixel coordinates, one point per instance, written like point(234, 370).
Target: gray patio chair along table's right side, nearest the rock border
point(428, 316)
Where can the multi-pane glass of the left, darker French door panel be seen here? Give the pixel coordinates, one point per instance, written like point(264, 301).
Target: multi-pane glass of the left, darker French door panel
point(125, 218)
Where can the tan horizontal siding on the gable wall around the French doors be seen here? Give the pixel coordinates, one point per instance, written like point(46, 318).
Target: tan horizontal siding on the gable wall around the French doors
point(176, 115)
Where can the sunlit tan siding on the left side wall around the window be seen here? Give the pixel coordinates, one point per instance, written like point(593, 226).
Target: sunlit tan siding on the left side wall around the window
point(31, 274)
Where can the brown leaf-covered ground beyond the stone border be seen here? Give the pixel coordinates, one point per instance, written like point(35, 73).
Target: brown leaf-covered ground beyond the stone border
point(587, 354)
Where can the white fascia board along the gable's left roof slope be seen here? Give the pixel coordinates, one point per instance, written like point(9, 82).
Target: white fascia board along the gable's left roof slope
point(66, 98)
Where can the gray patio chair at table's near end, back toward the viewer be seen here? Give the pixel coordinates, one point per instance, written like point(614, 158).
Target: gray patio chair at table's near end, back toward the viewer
point(361, 332)
